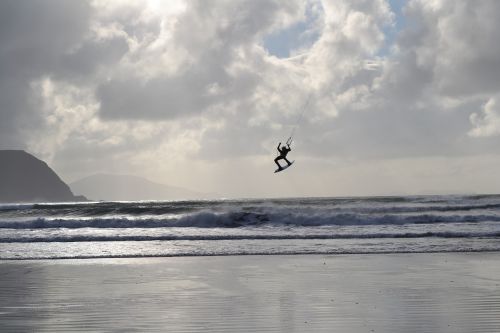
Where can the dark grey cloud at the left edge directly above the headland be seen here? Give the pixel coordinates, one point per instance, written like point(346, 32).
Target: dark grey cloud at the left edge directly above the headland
point(34, 35)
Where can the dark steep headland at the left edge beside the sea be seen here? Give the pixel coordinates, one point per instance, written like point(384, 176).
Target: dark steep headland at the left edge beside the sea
point(24, 178)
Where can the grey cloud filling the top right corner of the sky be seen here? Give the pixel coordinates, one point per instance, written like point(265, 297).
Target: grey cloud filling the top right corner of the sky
point(457, 41)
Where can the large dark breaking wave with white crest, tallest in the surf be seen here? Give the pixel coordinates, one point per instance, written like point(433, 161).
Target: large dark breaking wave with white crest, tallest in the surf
point(246, 219)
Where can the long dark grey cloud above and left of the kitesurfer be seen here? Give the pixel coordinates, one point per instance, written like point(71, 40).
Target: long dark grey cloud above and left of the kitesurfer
point(171, 97)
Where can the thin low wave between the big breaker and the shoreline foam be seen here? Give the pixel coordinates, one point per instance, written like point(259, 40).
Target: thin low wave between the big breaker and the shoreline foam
point(98, 238)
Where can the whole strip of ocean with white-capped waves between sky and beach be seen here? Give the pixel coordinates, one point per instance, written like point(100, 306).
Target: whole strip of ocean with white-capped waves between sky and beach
point(405, 224)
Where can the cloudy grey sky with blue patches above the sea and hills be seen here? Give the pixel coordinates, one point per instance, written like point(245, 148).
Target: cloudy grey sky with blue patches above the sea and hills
point(386, 97)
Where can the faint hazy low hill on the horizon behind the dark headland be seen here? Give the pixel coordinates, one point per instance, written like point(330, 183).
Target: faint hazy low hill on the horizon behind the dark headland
point(129, 188)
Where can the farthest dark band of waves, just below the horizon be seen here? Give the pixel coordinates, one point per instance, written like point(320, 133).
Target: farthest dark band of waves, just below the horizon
point(390, 205)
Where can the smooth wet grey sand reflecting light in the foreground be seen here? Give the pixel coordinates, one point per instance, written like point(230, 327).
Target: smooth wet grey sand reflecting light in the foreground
point(445, 292)
